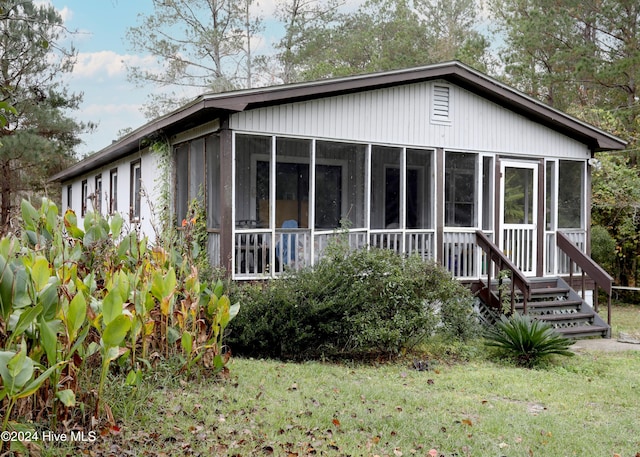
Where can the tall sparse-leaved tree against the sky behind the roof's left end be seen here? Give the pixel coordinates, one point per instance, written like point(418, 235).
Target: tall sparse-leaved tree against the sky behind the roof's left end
point(204, 45)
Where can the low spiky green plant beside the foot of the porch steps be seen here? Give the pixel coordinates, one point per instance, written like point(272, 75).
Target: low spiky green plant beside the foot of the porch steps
point(527, 340)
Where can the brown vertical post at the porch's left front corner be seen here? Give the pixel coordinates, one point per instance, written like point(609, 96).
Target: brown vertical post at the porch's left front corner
point(226, 184)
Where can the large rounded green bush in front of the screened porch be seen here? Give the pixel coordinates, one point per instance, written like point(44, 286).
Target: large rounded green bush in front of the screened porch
point(351, 303)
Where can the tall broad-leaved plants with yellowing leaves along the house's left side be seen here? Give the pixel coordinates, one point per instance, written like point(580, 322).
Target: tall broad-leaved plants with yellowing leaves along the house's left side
point(71, 294)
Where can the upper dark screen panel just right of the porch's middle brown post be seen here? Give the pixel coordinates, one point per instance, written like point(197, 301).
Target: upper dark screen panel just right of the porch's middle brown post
point(460, 189)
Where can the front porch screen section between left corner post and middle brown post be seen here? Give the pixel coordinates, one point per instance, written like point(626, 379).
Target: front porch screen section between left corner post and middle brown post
point(292, 195)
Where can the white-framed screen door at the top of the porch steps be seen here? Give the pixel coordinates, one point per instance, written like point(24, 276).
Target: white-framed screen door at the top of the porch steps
point(518, 213)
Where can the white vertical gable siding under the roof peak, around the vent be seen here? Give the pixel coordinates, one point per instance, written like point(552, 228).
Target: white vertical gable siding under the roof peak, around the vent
point(401, 115)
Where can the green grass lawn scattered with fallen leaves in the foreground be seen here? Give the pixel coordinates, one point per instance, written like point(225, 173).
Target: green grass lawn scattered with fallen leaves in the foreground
point(579, 406)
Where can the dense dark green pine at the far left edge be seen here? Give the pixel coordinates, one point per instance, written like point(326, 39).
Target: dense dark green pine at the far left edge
point(37, 136)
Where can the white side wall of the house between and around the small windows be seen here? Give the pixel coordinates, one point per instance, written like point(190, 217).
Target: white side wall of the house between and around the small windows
point(149, 164)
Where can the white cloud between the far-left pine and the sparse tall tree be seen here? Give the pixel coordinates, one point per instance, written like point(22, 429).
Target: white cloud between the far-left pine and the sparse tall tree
point(107, 63)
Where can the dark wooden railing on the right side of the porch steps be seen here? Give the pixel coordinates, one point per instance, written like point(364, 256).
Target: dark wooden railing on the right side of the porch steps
point(589, 268)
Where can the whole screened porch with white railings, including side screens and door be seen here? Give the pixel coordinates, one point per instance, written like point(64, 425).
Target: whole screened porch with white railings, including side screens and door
point(292, 195)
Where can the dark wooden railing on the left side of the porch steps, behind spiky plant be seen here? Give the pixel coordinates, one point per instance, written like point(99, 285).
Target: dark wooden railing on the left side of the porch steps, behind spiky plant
point(497, 261)
